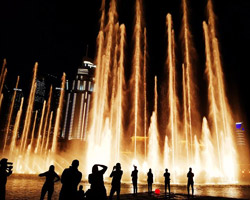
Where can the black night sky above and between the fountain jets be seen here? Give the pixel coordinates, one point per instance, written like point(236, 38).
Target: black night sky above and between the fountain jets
point(56, 33)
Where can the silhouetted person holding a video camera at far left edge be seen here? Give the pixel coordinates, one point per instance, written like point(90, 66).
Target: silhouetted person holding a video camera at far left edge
point(5, 171)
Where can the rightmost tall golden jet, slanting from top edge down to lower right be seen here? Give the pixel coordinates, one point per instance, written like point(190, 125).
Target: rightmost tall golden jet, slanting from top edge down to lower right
point(224, 113)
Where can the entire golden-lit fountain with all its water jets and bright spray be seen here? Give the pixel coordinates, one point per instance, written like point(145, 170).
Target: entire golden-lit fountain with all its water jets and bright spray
point(188, 140)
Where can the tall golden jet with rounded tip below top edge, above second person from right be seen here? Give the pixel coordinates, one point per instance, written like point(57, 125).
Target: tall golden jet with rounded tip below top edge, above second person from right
point(172, 96)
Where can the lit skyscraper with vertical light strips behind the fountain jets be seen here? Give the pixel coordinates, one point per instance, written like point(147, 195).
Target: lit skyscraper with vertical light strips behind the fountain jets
point(78, 101)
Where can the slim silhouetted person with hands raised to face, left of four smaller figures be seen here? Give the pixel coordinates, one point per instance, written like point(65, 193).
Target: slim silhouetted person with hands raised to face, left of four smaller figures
point(116, 181)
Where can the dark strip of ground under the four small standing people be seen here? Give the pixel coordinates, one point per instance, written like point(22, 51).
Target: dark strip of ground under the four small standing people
point(146, 196)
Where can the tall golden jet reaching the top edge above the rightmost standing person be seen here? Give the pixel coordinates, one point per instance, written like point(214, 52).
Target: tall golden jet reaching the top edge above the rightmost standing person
point(190, 106)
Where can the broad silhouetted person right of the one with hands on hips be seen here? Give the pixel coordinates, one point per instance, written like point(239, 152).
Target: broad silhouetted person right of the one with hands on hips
point(70, 179)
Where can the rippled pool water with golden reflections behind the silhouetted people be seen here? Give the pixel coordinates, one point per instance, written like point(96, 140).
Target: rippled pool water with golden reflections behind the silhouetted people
point(28, 187)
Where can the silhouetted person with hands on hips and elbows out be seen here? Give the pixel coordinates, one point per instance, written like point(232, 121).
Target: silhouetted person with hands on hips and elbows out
point(48, 186)
